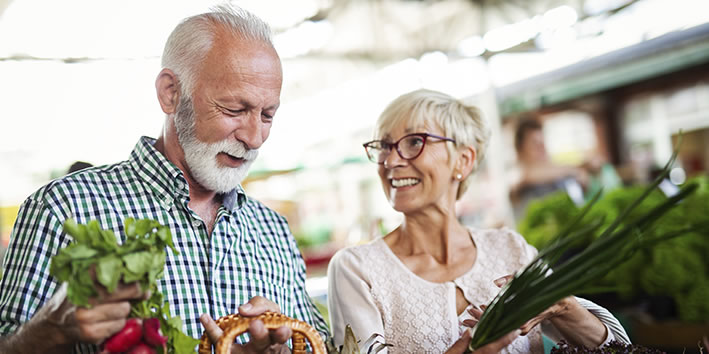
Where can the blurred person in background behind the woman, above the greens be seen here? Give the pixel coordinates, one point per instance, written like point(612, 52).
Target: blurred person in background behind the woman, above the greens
point(540, 176)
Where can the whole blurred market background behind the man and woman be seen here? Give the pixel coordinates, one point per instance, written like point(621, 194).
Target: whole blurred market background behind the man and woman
point(611, 83)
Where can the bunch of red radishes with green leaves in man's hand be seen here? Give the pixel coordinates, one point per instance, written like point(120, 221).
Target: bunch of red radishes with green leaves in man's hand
point(96, 254)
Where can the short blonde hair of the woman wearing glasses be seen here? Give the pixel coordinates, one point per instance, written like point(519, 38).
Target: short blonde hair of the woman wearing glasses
point(424, 108)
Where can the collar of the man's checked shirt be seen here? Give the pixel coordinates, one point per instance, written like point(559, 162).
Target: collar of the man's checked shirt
point(167, 181)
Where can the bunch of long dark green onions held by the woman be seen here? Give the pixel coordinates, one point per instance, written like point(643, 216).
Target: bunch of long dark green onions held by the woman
point(537, 287)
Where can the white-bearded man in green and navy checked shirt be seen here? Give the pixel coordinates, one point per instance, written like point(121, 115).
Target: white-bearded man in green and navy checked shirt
point(220, 90)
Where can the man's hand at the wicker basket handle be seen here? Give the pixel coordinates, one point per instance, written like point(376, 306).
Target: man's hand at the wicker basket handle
point(262, 340)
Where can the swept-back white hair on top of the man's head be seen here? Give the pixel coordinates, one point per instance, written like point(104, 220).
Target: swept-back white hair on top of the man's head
point(192, 39)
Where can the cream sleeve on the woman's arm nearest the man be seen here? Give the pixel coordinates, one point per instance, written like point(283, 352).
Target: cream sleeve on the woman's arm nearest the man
point(350, 301)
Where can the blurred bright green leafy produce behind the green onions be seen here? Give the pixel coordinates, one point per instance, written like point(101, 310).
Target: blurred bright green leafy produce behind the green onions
point(677, 268)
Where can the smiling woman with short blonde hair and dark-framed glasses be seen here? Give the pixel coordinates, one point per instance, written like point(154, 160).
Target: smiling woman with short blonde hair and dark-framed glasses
point(422, 284)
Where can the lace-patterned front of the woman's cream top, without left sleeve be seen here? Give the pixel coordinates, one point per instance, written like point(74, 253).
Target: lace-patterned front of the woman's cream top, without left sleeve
point(420, 316)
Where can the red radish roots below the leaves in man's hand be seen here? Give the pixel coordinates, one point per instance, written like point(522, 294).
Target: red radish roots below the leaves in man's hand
point(137, 337)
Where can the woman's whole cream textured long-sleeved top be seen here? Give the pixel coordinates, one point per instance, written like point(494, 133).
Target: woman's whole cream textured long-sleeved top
point(374, 292)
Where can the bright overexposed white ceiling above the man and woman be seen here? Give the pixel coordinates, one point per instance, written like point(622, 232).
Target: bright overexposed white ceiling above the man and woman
point(76, 76)
